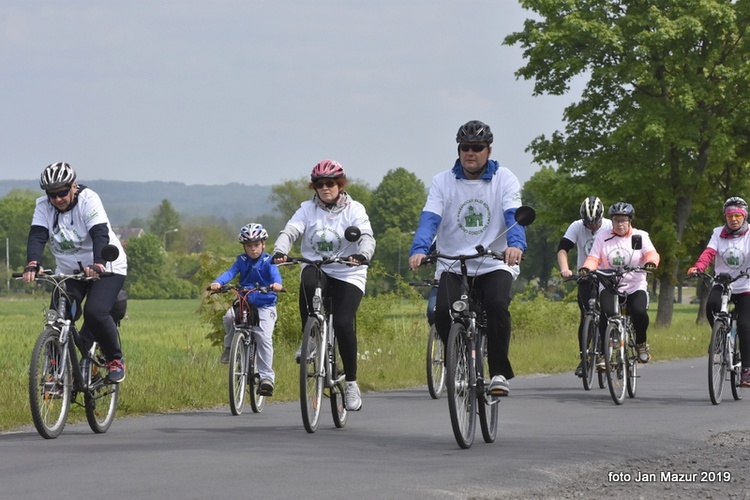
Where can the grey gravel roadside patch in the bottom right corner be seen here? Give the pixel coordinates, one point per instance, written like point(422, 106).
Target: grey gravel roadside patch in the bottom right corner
point(715, 470)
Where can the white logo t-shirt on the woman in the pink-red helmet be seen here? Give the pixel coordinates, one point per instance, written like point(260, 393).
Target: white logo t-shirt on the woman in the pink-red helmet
point(323, 237)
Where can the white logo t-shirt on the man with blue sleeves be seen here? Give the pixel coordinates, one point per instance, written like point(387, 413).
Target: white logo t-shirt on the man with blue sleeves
point(471, 214)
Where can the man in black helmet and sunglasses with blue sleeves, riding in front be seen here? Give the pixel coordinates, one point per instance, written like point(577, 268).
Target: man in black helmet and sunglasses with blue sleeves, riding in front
point(472, 204)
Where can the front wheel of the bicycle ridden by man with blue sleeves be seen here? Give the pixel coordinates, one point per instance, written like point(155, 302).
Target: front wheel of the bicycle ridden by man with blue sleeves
point(462, 398)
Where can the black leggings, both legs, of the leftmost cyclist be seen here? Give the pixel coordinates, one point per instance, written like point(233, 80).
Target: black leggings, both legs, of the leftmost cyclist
point(98, 324)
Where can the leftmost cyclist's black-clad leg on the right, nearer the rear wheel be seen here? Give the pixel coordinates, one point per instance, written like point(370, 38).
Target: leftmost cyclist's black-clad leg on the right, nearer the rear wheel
point(97, 321)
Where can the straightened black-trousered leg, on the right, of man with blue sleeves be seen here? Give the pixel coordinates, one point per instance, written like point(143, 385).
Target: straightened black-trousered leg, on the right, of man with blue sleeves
point(494, 290)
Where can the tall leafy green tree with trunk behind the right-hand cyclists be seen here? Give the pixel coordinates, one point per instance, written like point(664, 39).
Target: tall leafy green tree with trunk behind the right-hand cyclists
point(664, 110)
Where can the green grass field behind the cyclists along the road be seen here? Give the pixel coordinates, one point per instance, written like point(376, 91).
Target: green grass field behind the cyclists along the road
point(172, 367)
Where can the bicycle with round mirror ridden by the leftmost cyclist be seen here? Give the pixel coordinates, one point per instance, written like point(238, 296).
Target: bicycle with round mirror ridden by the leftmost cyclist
point(56, 374)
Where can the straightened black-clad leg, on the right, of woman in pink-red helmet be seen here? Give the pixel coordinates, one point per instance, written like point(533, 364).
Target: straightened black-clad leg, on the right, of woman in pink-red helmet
point(345, 302)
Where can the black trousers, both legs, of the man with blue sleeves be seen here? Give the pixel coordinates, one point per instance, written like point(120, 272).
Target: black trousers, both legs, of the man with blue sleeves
point(492, 290)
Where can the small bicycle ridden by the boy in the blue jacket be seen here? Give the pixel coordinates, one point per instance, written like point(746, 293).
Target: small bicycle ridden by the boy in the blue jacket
point(243, 354)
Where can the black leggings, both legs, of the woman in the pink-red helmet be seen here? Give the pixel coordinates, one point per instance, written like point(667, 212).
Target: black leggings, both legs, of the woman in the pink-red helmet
point(345, 299)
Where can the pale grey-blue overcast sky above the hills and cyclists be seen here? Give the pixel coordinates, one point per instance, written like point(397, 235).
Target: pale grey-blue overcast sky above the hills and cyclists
point(257, 92)
